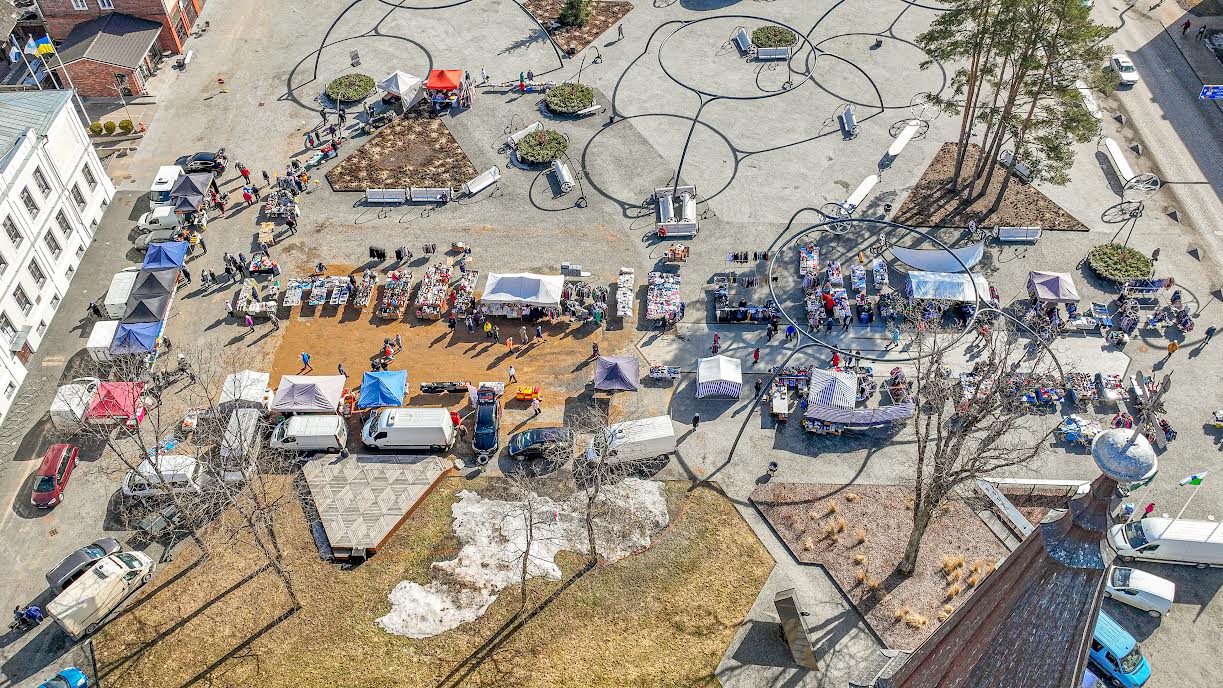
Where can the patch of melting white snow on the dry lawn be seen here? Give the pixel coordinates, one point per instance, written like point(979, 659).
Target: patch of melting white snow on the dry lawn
point(493, 536)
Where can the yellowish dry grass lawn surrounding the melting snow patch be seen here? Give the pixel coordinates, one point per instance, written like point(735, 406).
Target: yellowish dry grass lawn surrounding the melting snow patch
point(662, 618)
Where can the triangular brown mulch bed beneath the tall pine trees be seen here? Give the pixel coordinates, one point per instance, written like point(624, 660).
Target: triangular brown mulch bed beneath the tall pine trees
point(931, 202)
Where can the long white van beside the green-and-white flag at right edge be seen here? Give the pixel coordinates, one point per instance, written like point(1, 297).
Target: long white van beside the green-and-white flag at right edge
point(1182, 541)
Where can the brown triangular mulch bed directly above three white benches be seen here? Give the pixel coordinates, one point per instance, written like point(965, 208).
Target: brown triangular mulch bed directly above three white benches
point(416, 151)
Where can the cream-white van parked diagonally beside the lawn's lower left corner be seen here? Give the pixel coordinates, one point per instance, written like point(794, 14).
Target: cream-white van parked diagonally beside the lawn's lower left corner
point(83, 607)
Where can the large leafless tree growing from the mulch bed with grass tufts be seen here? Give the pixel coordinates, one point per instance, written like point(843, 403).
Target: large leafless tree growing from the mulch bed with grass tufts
point(972, 426)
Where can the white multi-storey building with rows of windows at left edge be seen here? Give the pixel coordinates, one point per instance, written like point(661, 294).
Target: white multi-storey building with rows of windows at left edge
point(53, 194)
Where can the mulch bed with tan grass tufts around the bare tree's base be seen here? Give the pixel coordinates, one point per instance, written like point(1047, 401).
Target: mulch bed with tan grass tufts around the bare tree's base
point(903, 612)
